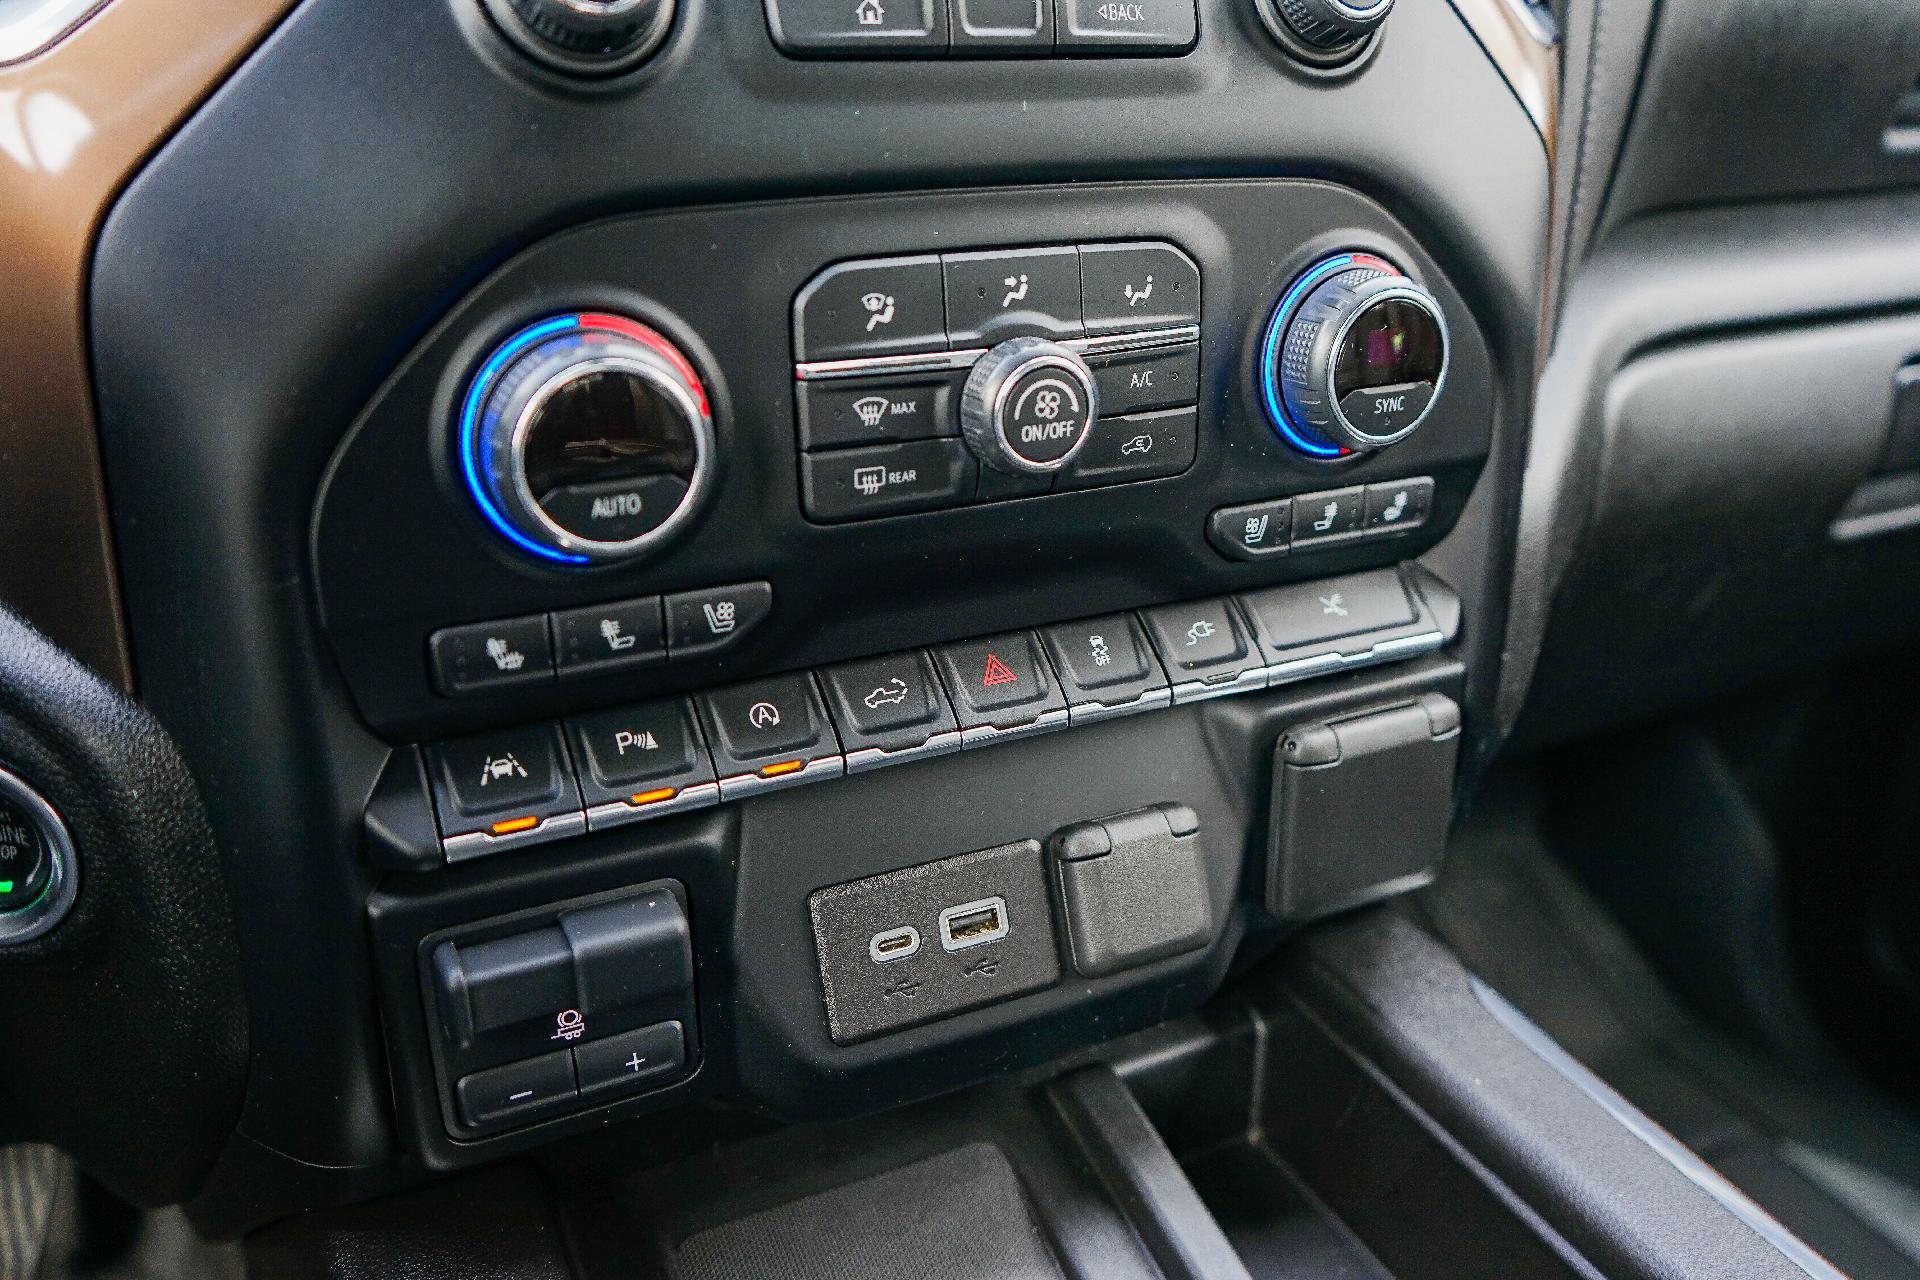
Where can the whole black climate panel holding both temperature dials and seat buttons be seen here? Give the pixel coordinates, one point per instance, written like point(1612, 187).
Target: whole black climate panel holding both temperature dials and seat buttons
point(900, 421)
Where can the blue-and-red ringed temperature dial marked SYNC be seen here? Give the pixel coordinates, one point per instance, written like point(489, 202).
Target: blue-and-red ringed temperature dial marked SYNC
point(1355, 358)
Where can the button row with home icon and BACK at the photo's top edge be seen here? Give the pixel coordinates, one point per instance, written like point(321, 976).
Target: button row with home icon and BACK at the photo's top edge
point(982, 28)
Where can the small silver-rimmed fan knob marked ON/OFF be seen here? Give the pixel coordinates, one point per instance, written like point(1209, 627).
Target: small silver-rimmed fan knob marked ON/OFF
point(1028, 408)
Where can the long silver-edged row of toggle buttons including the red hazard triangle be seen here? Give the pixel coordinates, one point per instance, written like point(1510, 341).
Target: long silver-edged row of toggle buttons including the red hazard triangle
point(544, 782)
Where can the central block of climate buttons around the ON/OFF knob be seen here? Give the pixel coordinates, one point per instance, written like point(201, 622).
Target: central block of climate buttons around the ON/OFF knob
point(955, 379)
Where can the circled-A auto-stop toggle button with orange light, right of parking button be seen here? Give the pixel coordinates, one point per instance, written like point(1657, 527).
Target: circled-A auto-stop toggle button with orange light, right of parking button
point(769, 732)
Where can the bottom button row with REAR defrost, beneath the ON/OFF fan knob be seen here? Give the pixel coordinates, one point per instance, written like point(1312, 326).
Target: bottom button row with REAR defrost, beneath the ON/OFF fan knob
point(934, 475)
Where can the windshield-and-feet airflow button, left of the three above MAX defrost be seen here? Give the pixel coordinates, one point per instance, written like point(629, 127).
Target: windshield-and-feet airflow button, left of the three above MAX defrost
point(873, 308)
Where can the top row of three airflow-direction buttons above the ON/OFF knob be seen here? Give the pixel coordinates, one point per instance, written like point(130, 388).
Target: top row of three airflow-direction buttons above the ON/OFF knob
point(940, 302)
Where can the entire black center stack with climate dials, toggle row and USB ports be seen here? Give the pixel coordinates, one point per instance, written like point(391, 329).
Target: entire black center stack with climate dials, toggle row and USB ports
point(794, 561)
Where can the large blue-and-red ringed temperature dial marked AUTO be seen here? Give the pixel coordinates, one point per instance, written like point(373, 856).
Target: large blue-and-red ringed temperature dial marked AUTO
point(587, 440)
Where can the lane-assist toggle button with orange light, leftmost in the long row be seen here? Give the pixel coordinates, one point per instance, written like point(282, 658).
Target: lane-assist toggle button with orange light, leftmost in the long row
point(508, 786)
